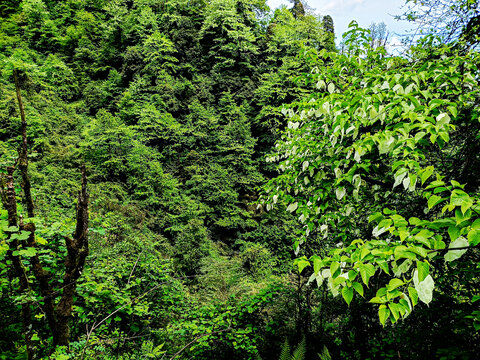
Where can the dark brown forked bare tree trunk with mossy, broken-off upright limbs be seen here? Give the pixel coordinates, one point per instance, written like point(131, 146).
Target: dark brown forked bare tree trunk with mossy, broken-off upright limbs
point(77, 249)
